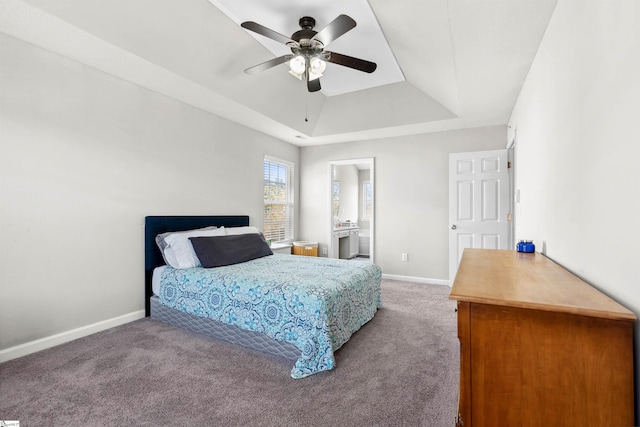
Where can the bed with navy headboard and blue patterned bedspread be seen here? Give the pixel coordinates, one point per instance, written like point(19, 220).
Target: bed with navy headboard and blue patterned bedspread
point(296, 307)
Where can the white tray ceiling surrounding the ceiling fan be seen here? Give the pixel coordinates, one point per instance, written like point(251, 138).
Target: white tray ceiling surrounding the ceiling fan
point(463, 61)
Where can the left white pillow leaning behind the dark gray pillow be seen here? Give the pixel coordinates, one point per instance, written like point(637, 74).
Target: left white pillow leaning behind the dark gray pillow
point(178, 251)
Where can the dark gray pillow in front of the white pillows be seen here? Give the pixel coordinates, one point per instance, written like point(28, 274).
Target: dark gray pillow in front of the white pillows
point(227, 250)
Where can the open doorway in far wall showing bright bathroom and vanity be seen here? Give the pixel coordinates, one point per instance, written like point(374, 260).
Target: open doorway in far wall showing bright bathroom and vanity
point(352, 209)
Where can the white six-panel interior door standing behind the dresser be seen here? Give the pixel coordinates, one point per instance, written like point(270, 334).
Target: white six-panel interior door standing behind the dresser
point(478, 203)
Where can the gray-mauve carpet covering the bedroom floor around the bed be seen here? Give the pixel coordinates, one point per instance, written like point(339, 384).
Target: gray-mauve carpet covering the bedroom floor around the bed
point(400, 369)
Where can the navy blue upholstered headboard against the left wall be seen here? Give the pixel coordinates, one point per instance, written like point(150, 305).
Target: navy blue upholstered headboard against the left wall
point(154, 225)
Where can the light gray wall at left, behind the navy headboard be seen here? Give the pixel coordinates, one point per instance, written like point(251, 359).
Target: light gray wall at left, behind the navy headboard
point(84, 157)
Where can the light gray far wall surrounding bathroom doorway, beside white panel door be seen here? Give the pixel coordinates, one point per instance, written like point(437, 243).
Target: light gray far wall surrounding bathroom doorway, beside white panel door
point(411, 195)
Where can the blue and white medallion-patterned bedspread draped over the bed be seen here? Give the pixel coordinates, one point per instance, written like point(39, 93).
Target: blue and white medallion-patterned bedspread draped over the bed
point(313, 303)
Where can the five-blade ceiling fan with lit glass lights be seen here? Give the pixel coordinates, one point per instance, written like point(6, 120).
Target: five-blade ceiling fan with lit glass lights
point(308, 59)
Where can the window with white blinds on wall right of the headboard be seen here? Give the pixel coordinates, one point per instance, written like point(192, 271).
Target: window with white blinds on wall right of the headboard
point(278, 200)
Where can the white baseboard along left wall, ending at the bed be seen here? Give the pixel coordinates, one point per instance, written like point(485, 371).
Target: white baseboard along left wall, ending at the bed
point(61, 338)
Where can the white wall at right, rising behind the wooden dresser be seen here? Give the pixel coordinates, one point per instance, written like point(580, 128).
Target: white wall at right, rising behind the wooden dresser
point(577, 144)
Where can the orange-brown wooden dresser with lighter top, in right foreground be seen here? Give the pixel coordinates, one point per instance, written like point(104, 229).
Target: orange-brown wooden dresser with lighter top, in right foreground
point(539, 346)
